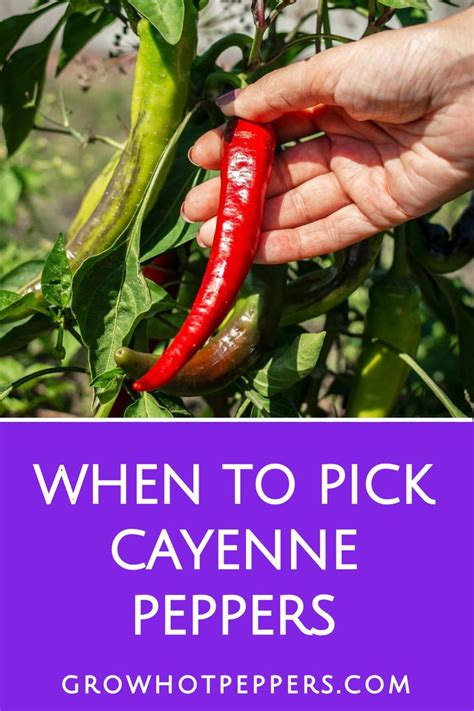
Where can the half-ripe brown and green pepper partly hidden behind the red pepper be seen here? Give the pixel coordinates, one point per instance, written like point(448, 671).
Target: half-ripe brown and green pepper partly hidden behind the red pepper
point(237, 346)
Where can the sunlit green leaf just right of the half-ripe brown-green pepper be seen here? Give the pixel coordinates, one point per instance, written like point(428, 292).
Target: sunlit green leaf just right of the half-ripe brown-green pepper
point(289, 365)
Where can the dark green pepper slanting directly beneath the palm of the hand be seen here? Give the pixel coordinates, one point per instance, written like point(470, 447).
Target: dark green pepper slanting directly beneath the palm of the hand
point(320, 291)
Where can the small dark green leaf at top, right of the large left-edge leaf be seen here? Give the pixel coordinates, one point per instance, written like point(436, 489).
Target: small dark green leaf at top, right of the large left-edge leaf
point(79, 29)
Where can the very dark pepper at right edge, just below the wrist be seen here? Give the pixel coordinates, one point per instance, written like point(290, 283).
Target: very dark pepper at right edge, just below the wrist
point(436, 249)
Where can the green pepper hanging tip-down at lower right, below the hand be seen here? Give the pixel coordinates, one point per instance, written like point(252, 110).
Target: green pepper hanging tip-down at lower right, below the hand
point(393, 317)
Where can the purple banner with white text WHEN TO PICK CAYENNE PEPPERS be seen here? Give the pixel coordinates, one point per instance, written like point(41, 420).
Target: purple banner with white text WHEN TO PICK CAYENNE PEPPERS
point(270, 565)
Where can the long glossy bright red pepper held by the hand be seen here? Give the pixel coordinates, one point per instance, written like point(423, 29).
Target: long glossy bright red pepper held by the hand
point(245, 171)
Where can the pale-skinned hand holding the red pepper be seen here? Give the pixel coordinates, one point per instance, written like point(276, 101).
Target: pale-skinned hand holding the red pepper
point(398, 139)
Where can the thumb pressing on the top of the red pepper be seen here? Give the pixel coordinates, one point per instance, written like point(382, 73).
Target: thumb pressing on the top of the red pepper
point(298, 86)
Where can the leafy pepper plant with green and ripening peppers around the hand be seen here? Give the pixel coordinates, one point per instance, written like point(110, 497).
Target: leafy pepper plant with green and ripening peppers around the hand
point(90, 310)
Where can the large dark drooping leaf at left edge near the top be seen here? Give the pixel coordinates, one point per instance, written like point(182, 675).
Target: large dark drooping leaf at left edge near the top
point(21, 87)
